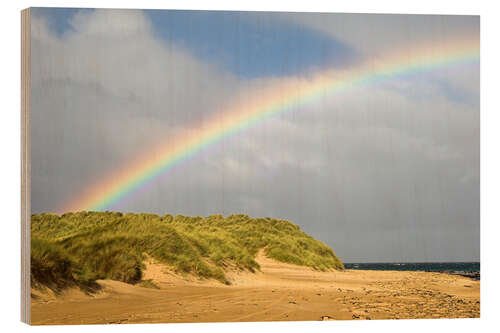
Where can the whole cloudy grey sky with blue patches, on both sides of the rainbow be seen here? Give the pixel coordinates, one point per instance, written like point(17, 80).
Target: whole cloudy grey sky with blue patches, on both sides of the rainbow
point(387, 171)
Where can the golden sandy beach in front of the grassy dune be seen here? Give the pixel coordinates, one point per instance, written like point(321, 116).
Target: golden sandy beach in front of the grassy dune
point(279, 292)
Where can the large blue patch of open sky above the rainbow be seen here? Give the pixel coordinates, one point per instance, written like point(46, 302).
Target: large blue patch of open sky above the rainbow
point(250, 44)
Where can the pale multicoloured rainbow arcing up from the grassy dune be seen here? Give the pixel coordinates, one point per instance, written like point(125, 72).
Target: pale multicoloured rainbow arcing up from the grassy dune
point(282, 96)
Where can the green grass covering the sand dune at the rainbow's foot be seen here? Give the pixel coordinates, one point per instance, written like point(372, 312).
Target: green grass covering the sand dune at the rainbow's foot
point(85, 246)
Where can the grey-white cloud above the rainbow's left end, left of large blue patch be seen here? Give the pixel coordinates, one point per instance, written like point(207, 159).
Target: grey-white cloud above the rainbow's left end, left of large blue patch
point(105, 92)
